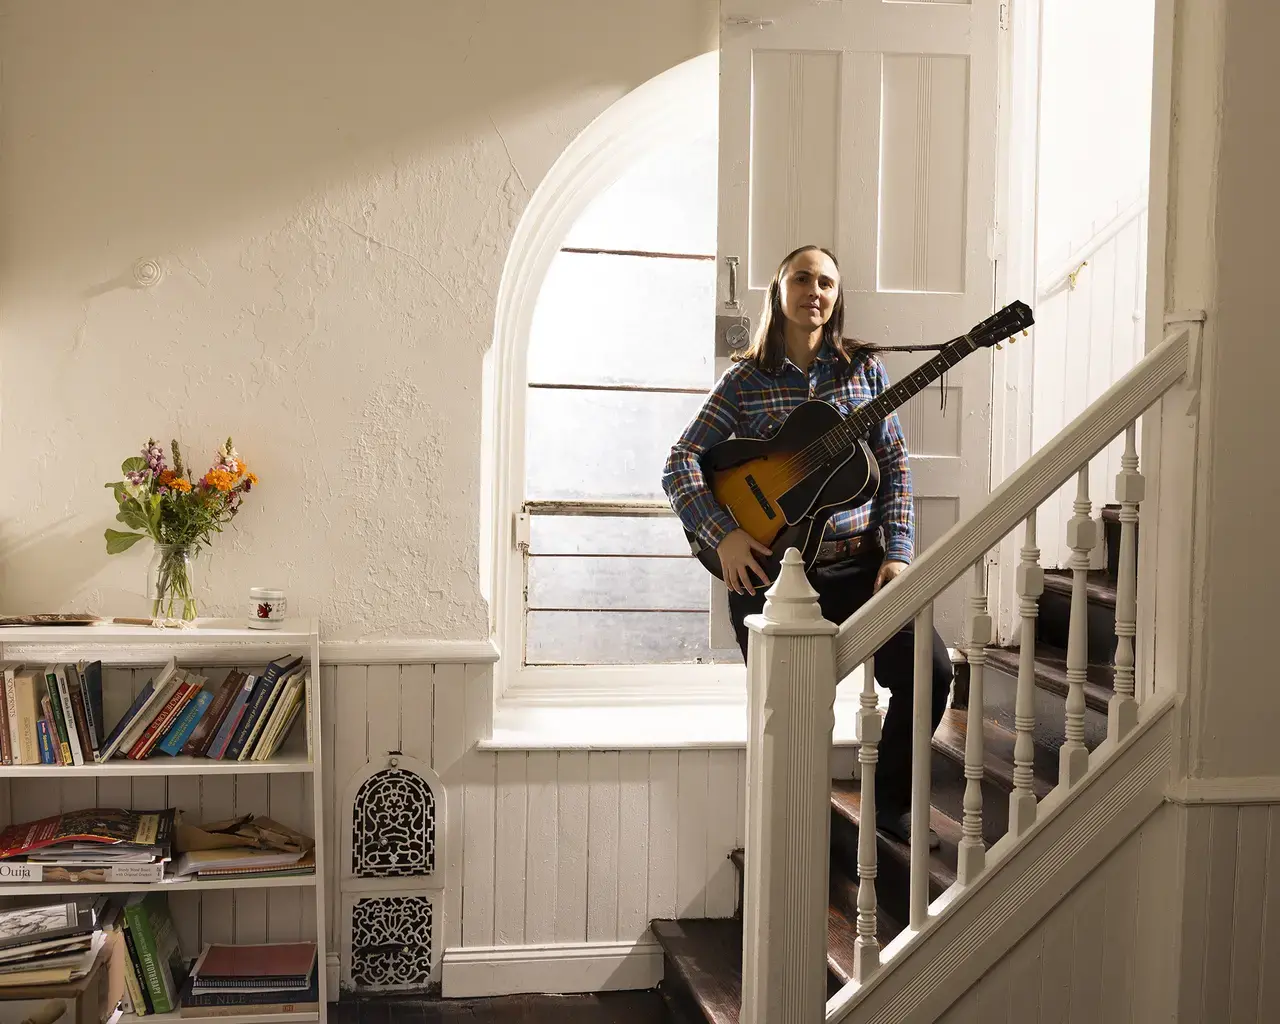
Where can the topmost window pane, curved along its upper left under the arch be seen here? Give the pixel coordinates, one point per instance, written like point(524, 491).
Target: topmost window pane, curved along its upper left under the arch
point(665, 204)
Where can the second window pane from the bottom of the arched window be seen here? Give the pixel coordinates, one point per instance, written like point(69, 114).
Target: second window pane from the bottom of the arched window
point(634, 584)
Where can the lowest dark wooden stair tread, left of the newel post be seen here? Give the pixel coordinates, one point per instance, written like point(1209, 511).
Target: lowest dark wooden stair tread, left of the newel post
point(708, 956)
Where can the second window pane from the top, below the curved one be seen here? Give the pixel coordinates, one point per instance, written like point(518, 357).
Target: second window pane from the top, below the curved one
point(625, 321)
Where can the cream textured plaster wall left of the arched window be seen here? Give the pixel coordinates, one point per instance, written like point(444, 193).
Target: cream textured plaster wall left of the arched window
point(331, 189)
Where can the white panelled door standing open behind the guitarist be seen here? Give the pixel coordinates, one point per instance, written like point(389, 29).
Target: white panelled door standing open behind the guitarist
point(870, 127)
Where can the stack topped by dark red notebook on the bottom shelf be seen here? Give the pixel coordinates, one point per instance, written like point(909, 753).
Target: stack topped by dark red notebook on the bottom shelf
point(275, 979)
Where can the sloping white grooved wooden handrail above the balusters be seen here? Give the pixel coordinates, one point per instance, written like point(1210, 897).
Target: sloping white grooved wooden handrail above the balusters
point(863, 634)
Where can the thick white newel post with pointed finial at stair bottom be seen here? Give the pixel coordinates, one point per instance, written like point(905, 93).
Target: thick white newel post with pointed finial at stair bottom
point(792, 675)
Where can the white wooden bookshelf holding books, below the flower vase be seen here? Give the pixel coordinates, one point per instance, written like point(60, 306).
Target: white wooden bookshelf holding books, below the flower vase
point(287, 788)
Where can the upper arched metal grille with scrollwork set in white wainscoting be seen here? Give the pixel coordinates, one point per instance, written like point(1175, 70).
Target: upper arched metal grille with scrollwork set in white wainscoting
point(394, 826)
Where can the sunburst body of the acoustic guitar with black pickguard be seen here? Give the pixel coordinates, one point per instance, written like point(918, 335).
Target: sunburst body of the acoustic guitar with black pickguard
point(785, 490)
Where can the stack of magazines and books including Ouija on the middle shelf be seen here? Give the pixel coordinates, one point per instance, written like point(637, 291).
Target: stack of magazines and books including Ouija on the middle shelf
point(103, 845)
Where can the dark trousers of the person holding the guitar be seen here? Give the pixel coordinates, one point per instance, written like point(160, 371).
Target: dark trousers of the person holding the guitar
point(843, 589)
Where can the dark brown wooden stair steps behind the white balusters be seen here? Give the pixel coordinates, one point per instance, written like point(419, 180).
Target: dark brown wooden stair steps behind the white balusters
point(703, 958)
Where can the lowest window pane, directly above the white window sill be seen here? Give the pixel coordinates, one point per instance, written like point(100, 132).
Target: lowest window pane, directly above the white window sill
point(620, 638)
